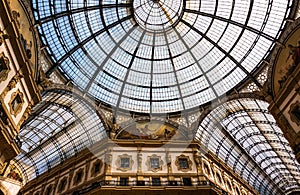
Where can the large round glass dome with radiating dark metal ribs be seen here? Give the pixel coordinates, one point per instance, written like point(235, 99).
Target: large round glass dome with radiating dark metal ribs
point(158, 56)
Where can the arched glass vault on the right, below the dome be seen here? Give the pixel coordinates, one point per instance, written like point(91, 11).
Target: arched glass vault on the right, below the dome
point(245, 136)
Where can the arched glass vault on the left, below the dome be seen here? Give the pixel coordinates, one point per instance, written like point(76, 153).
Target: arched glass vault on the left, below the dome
point(61, 125)
